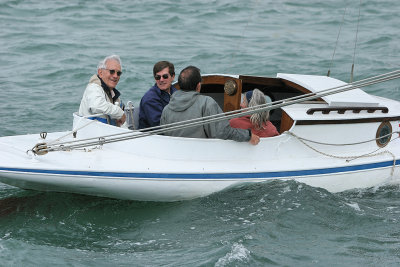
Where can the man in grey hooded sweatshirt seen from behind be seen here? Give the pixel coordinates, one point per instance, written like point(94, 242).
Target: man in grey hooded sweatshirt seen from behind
point(188, 103)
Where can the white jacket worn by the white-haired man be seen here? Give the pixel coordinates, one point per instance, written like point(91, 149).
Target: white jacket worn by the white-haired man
point(96, 101)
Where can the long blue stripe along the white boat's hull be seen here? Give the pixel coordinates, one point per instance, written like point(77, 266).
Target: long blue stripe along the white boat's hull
point(205, 176)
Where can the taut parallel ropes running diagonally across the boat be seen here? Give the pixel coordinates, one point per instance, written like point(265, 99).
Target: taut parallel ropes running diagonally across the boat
point(54, 146)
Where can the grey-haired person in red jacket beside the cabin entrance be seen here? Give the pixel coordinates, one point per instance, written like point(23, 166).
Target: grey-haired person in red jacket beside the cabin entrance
point(258, 123)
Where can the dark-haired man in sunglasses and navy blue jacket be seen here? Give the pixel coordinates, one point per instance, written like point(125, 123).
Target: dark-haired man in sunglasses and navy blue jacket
point(158, 96)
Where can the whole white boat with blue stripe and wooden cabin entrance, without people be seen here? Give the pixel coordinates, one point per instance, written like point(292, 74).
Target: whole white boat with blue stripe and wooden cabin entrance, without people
point(333, 135)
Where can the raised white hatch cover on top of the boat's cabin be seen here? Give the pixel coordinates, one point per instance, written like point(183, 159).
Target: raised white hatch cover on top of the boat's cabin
point(355, 97)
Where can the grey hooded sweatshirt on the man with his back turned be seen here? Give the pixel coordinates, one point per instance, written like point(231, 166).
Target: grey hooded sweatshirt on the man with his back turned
point(190, 105)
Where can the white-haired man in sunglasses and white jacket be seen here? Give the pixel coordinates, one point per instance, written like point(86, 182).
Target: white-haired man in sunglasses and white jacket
point(101, 98)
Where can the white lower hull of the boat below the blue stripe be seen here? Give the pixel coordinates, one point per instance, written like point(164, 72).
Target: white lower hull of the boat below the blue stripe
point(174, 189)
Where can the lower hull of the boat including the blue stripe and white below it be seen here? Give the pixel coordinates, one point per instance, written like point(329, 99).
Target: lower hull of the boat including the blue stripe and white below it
point(182, 186)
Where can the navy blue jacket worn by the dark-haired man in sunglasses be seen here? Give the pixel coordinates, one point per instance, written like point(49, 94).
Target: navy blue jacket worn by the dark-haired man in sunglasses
point(151, 106)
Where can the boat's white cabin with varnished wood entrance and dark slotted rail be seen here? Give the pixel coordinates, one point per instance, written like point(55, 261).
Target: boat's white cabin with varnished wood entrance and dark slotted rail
point(316, 107)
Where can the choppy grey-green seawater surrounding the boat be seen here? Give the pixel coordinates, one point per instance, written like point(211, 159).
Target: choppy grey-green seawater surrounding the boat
point(49, 50)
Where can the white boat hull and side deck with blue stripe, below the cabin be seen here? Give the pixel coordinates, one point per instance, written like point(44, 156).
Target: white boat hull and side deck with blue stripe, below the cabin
point(160, 168)
